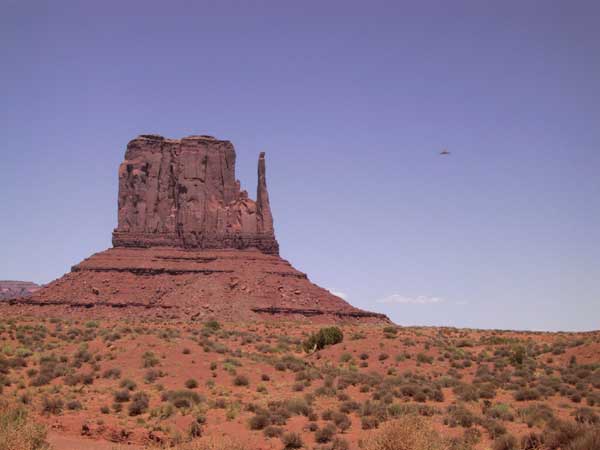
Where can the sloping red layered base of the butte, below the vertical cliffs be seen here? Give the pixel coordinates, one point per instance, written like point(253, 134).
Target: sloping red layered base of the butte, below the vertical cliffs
point(200, 284)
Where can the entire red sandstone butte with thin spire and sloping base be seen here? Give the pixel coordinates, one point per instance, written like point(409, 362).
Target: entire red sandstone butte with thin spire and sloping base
point(190, 244)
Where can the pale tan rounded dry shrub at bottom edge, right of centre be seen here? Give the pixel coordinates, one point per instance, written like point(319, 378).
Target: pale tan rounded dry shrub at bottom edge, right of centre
point(406, 433)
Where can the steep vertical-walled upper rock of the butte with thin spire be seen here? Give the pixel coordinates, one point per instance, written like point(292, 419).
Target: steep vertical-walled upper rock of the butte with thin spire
point(183, 193)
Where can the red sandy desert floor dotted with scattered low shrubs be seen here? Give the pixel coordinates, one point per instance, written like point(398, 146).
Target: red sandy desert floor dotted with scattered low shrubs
point(130, 384)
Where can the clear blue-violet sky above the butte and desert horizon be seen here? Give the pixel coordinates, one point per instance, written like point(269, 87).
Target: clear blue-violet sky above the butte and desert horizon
point(352, 101)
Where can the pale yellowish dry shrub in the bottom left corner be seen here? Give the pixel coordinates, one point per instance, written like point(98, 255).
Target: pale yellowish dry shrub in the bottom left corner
point(17, 431)
